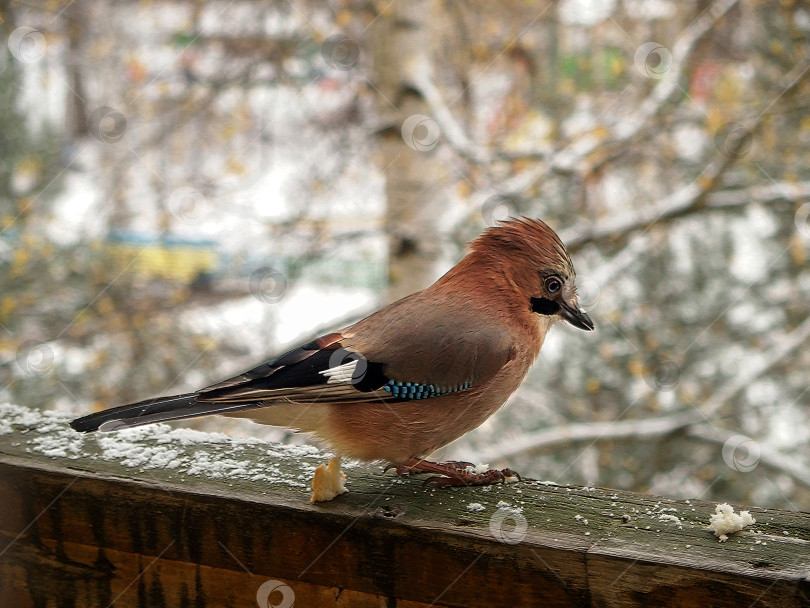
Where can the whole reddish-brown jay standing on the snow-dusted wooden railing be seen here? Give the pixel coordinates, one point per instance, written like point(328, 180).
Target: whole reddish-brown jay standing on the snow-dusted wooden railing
point(411, 377)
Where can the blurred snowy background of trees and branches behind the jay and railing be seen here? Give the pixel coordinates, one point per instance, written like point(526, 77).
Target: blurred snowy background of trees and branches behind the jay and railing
point(187, 188)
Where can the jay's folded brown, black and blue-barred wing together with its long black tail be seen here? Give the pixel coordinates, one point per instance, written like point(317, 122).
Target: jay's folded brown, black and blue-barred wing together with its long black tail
point(410, 359)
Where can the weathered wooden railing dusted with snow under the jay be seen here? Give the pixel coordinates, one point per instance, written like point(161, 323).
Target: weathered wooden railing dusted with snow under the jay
point(208, 520)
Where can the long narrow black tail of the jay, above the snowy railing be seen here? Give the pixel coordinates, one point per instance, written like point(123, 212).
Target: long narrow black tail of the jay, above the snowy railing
point(150, 411)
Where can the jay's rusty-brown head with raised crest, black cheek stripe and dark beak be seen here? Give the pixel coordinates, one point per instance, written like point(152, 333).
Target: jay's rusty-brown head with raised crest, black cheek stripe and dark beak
point(534, 261)
